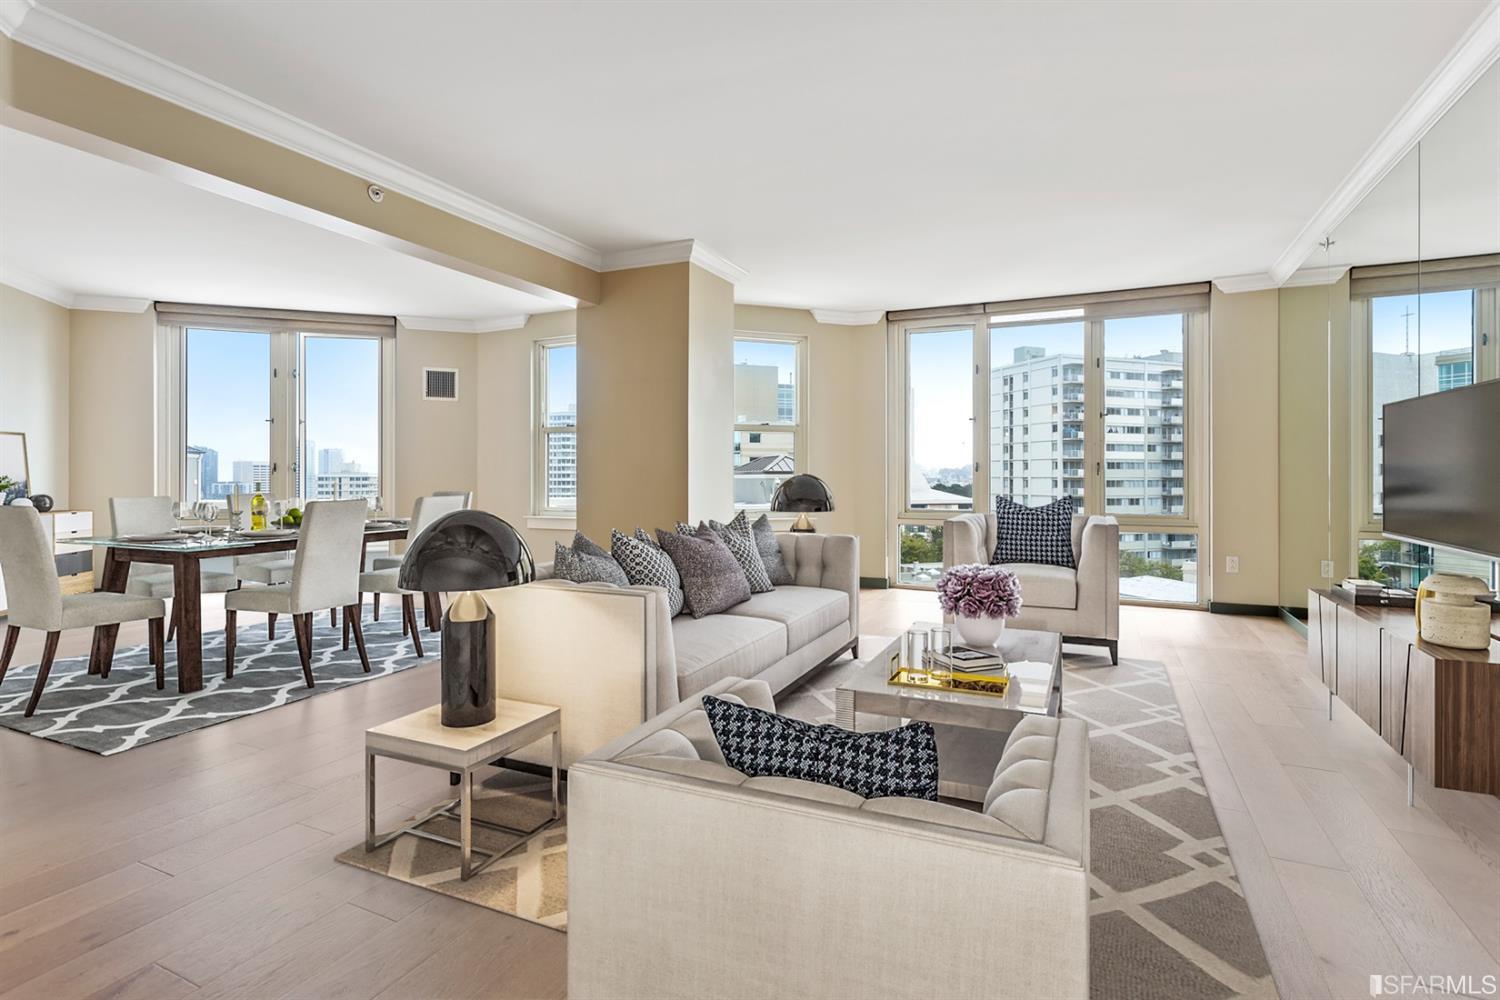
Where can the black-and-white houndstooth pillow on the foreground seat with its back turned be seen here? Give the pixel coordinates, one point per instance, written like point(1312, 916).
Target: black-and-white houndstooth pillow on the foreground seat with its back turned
point(899, 762)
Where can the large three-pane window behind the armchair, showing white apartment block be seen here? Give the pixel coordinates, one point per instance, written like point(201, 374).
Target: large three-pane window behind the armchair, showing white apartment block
point(1094, 400)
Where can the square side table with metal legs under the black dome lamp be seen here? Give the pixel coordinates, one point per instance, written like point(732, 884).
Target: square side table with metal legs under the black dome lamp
point(424, 740)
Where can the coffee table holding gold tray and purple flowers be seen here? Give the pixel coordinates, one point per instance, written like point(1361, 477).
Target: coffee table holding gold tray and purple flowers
point(971, 728)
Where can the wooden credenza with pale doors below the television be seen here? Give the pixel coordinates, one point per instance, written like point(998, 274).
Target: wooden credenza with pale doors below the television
point(1436, 705)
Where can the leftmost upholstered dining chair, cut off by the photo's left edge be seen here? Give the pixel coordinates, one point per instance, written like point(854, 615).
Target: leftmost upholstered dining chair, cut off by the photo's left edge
point(37, 602)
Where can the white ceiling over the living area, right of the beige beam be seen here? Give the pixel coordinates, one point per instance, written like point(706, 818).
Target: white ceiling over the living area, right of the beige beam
point(853, 157)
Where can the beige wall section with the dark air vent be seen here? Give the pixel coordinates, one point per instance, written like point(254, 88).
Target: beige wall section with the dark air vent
point(434, 439)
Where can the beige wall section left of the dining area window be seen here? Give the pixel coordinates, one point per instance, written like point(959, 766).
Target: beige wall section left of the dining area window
point(113, 409)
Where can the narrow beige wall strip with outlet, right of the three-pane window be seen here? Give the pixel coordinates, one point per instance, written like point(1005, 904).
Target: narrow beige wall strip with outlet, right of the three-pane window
point(1244, 442)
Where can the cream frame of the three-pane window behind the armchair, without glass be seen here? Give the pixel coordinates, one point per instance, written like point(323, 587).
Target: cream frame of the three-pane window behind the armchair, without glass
point(1195, 518)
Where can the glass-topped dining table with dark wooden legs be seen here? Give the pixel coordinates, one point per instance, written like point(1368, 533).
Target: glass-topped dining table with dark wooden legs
point(185, 555)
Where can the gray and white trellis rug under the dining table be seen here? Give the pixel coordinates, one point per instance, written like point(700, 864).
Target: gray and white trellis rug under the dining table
point(127, 711)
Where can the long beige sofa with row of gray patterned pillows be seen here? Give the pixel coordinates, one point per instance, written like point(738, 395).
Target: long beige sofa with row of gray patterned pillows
point(613, 657)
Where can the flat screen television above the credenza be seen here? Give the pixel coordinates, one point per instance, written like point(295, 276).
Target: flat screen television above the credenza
point(1442, 469)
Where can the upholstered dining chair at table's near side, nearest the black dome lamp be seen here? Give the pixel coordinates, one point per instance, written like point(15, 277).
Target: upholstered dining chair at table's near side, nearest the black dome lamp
point(326, 573)
